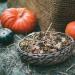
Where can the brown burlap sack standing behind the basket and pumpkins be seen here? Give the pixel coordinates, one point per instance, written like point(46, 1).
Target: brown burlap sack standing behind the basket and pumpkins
point(59, 12)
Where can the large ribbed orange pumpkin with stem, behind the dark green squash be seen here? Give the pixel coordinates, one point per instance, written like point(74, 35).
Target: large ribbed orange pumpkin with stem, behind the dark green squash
point(18, 19)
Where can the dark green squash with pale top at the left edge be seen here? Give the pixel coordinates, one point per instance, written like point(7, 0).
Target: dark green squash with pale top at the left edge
point(6, 36)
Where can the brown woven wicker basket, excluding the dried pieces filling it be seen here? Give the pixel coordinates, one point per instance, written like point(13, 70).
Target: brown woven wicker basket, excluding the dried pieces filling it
point(47, 59)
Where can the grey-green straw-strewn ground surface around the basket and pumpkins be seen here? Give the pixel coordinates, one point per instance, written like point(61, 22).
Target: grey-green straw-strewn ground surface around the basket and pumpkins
point(11, 64)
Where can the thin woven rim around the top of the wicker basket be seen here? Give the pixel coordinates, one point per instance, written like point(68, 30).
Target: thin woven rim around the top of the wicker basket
point(72, 40)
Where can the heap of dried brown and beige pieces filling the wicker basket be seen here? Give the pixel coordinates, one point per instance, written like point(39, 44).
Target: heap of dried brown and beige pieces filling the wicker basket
point(45, 43)
